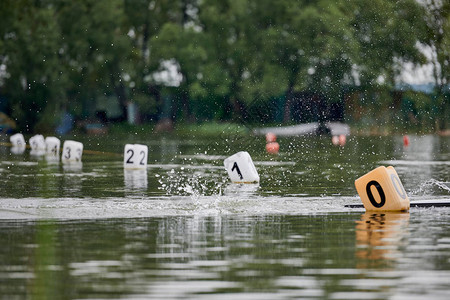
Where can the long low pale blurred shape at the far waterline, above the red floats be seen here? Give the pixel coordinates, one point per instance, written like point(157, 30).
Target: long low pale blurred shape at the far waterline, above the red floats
point(332, 128)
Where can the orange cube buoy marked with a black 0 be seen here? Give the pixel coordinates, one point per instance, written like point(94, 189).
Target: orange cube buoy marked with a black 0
point(382, 190)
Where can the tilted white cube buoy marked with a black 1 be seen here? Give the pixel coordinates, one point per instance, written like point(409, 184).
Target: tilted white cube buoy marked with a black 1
point(241, 169)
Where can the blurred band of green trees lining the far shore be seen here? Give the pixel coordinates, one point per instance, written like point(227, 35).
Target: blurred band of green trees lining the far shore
point(244, 61)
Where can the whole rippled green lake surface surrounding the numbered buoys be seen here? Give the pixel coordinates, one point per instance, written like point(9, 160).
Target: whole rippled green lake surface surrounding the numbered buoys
point(181, 230)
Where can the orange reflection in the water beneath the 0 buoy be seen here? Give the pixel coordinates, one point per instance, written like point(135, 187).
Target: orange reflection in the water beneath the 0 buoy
point(379, 237)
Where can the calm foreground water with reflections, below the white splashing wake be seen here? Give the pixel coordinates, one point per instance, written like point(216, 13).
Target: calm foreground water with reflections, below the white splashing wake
point(218, 257)
